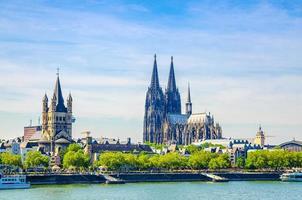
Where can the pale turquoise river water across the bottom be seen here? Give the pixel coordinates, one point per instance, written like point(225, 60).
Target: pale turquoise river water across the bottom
point(160, 191)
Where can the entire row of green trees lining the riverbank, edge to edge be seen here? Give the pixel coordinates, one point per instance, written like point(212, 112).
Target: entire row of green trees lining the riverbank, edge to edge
point(75, 158)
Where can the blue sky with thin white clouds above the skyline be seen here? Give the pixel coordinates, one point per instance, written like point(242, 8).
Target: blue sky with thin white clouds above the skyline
point(243, 60)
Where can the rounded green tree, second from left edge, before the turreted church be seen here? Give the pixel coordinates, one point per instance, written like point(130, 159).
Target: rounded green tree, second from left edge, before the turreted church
point(36, 159)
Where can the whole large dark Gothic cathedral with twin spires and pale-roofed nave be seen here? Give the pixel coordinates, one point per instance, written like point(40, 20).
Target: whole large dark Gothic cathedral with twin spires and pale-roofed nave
point(164, 122)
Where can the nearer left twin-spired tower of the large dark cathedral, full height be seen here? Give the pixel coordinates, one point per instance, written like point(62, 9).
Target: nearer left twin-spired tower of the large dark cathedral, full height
point(154, 110)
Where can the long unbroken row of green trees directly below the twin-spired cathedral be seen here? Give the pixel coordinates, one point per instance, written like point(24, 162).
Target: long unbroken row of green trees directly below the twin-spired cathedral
point(116, 161)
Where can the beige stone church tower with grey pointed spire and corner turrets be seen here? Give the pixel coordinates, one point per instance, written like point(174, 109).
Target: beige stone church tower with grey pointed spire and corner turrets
point(56, 121)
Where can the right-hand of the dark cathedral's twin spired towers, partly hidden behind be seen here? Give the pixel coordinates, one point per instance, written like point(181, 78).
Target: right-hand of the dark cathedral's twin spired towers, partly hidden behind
point(173, 102)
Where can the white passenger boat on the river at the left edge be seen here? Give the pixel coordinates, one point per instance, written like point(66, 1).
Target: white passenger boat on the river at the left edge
point(13, 182)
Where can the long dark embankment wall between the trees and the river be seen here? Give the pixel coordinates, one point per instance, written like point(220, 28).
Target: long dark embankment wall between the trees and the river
point(150, 177)
